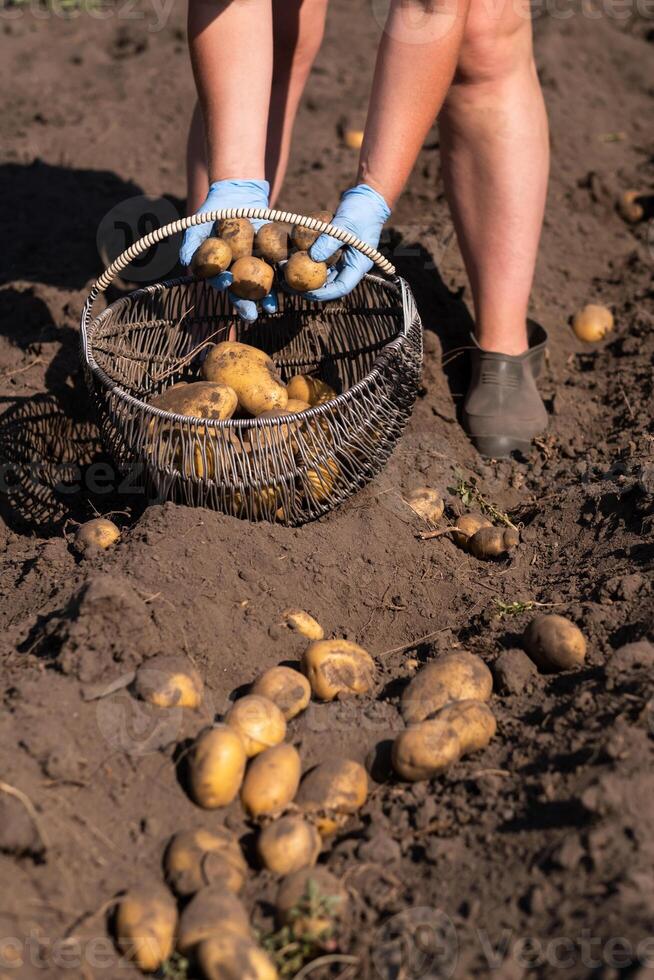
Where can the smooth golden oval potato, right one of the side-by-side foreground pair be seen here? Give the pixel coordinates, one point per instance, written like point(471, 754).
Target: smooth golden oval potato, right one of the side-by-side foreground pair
point(271, 781)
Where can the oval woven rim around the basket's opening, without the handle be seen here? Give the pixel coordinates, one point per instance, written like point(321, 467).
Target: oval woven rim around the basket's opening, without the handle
point(396, 284)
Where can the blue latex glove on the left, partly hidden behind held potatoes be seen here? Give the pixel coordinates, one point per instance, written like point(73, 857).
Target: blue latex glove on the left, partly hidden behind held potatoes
point(230, 194)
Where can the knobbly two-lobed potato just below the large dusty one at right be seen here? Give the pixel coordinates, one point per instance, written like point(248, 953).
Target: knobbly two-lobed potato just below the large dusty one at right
point(428, 748)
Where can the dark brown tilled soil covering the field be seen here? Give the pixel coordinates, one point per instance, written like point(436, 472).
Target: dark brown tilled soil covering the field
point(533, 857)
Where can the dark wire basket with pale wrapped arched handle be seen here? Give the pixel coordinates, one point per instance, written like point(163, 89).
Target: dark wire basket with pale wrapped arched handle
point(290, 469)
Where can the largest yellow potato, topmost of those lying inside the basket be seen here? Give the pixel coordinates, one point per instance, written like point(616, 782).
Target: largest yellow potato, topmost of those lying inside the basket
point(250, 373)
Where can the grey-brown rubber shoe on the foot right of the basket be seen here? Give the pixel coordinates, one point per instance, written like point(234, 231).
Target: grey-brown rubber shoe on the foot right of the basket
point(503, 410)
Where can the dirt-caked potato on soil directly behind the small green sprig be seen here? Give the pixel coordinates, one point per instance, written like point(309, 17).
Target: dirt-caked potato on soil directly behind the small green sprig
point(298, 896)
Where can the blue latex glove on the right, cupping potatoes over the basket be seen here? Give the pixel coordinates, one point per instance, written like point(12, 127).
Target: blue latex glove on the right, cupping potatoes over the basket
point(363, 212)
